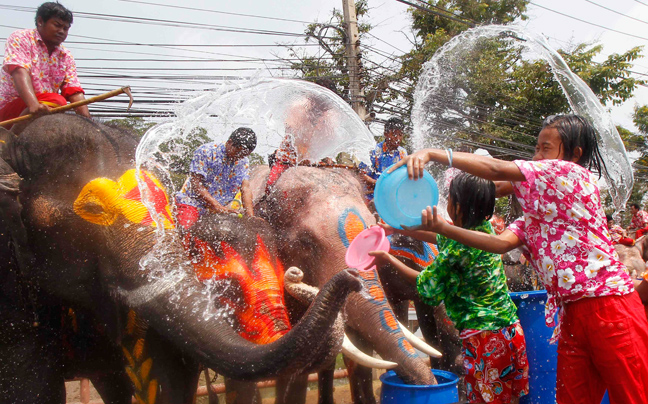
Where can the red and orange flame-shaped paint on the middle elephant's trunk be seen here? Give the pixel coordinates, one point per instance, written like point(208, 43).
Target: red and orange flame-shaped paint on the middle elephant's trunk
point(262, 316)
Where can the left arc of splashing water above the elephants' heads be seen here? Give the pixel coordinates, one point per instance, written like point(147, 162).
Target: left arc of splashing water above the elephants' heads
point(319, 123)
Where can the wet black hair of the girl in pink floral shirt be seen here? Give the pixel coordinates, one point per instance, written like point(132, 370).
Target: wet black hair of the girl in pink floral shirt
point(575, 131)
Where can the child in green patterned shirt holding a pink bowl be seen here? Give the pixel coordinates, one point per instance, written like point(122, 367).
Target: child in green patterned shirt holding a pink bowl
point(472, 284)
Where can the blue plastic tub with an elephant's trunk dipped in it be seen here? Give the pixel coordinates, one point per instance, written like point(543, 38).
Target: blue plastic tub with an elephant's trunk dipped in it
point(395, 391)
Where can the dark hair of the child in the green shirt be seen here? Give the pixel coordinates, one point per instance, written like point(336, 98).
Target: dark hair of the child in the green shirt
point(474, 197)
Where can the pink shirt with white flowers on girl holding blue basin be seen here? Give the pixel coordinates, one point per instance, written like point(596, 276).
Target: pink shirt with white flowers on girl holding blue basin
point(565, 233)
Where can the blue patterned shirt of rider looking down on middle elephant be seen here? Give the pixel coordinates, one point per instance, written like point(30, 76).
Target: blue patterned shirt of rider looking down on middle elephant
point(222, 179)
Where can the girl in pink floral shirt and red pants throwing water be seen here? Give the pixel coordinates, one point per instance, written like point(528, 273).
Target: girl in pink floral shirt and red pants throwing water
point(602, 331)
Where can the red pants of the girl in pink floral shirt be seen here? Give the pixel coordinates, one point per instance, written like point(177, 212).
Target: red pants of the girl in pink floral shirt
point(603, 345)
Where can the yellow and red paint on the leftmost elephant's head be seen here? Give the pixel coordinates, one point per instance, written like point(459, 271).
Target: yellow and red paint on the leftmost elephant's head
point(102, 200)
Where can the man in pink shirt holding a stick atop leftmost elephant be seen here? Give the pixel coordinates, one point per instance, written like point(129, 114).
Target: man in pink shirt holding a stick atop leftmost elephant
point(38, 72)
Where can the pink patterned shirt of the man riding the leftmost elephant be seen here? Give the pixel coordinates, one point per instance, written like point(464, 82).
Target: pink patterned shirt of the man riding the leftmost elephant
point(49, 73)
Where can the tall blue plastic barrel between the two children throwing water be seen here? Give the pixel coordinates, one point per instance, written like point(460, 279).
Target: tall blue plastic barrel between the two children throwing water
point(542, 356)
